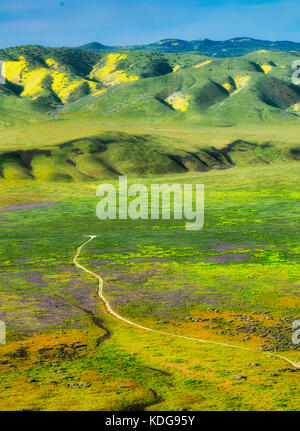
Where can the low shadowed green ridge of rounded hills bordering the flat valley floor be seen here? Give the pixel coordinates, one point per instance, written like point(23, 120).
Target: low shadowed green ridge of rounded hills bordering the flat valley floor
point(113, 153)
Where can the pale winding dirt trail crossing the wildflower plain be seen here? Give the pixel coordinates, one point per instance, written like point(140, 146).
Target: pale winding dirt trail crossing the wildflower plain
point(117, 316)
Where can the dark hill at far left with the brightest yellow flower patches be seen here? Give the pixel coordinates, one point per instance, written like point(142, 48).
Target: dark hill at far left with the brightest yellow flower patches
point(47, 76)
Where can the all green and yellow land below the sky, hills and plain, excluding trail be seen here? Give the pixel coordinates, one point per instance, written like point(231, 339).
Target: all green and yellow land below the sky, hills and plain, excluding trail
point(72, 119)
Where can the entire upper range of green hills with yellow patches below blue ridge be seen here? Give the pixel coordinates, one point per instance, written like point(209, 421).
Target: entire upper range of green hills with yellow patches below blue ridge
point(152, 86)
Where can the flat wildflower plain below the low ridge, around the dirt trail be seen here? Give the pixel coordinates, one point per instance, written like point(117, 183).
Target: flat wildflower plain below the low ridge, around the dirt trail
point(234, 281)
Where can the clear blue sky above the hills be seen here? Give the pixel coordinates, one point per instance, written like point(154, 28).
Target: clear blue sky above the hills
point(123, 22)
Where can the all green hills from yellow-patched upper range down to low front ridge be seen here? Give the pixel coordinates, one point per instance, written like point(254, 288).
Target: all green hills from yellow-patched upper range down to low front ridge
point(168, 107)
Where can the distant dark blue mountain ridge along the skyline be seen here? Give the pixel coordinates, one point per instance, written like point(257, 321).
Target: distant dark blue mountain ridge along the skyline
point(229, 48)
